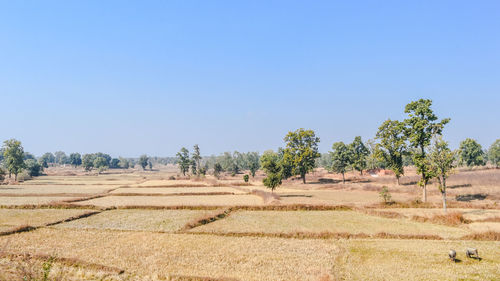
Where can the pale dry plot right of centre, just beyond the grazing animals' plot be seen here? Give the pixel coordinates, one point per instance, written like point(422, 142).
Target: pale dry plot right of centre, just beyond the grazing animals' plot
point(324, 221)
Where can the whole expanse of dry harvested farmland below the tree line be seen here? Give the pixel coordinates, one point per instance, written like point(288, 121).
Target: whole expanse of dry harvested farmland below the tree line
point(158, 225)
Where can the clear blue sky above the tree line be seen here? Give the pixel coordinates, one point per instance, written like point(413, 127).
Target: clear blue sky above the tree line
point(133, 77)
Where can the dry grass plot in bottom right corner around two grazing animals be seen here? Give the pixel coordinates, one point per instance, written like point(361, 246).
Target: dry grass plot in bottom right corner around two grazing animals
point(415, 260)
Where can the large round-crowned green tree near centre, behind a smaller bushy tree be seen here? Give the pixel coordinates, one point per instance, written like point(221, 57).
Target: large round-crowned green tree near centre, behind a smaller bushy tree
point(302, 150)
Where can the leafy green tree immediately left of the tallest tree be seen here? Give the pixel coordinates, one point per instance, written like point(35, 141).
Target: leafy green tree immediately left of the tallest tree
point(392, 146)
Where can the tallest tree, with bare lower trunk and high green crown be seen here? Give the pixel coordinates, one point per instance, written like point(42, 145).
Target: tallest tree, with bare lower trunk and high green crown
point(421, 125)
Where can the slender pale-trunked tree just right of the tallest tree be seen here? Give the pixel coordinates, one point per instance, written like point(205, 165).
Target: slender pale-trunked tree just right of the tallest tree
point(442, 161)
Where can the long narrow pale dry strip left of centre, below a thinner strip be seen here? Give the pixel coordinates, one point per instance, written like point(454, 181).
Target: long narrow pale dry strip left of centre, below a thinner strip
point(195, 200)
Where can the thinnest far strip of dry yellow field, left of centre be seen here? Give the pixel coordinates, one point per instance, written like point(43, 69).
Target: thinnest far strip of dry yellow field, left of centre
point(177, 190)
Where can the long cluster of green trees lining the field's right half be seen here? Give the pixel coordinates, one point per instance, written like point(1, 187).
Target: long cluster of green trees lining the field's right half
point(416, 140)
